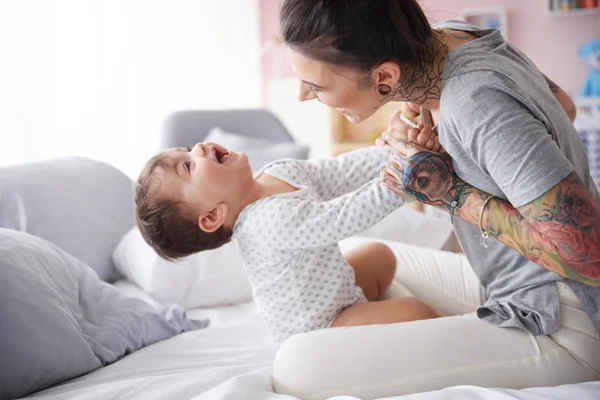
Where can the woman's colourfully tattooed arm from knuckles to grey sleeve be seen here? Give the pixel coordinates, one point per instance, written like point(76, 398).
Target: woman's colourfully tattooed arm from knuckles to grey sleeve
point(560, 230)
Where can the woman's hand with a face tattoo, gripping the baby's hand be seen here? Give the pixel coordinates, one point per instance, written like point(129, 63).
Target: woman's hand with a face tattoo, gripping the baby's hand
point(418, 173)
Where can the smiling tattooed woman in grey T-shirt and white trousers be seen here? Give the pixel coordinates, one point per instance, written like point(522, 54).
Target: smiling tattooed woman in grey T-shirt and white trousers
point(524, 306)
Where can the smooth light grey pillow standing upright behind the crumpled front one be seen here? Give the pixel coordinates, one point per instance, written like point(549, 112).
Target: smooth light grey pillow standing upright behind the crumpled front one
point(83, 206)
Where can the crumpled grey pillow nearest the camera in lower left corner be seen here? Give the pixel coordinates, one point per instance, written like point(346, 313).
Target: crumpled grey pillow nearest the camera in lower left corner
point(59, 321)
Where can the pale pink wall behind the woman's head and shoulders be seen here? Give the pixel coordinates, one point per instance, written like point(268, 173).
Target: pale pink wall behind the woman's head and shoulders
point(551, 42)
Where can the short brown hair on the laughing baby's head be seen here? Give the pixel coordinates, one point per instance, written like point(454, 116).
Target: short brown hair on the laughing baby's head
point(168, 225)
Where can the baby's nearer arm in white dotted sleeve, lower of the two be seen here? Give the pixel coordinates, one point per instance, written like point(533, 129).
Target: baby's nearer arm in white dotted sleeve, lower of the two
point(305, 224)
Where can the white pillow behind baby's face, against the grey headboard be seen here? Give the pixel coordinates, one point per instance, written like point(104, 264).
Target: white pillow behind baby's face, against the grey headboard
point(260, 151)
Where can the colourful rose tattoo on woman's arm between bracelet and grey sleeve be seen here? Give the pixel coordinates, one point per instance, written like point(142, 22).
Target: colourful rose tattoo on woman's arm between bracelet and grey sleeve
point(559, 231)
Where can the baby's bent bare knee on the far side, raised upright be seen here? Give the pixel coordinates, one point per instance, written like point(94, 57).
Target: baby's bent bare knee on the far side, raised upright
point(374, 267)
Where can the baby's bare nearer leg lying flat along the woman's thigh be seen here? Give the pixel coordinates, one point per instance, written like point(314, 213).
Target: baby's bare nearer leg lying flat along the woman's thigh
point(402, 309)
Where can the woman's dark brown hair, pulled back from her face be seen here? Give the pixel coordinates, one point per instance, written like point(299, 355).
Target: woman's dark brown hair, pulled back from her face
point(359, 34)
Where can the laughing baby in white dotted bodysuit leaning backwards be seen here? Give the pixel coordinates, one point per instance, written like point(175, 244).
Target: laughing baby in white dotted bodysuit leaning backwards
point(288, 221)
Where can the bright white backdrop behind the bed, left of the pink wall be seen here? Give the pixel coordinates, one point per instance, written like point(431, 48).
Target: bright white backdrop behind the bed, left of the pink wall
point(97, 78)
